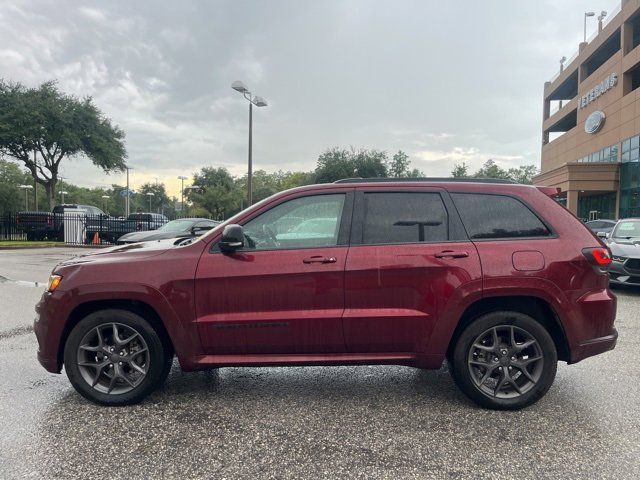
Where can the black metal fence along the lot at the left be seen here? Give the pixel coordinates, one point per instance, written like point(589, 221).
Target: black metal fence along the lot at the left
point(71, 228)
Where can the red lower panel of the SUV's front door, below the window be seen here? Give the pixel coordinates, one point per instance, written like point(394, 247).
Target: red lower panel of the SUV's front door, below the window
point(271, 301)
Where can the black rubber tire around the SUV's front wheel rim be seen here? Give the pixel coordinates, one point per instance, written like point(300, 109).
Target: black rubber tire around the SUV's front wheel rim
point(157, 365)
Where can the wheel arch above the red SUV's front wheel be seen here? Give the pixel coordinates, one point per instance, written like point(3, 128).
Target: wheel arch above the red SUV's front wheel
point(143, 309)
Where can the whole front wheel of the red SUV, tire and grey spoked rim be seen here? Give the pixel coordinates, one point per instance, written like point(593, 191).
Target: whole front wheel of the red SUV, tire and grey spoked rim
point(115, 357)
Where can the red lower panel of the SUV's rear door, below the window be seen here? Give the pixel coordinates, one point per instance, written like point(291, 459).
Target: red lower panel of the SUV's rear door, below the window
point(394, 295)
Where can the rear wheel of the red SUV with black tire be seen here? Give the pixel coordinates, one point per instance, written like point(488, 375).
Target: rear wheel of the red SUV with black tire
point(520, 390)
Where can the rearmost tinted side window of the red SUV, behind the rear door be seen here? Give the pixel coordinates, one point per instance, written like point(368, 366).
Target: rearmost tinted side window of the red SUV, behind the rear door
point(487, 216)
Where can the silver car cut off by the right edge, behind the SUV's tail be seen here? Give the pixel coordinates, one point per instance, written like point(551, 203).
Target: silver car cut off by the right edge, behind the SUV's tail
point(624, 242)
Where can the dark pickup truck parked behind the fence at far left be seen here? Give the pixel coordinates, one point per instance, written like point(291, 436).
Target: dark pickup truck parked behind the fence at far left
point(50, 225)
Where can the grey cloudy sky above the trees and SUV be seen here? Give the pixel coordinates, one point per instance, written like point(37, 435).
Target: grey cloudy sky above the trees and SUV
point(444, 81)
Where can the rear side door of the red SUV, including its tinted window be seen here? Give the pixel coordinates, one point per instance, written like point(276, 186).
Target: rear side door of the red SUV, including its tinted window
point(409, 261)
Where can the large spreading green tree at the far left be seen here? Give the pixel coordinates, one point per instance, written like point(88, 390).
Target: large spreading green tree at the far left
point(42, 126)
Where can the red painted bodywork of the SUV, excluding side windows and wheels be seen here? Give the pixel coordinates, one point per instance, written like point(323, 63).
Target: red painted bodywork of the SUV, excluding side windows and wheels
point(347, 304)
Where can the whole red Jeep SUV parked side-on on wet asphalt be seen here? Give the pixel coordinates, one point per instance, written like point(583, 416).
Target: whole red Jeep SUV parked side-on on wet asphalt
point(497, 278)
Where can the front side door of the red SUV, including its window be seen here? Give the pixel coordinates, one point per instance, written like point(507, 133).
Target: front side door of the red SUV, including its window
point(283, 292)
